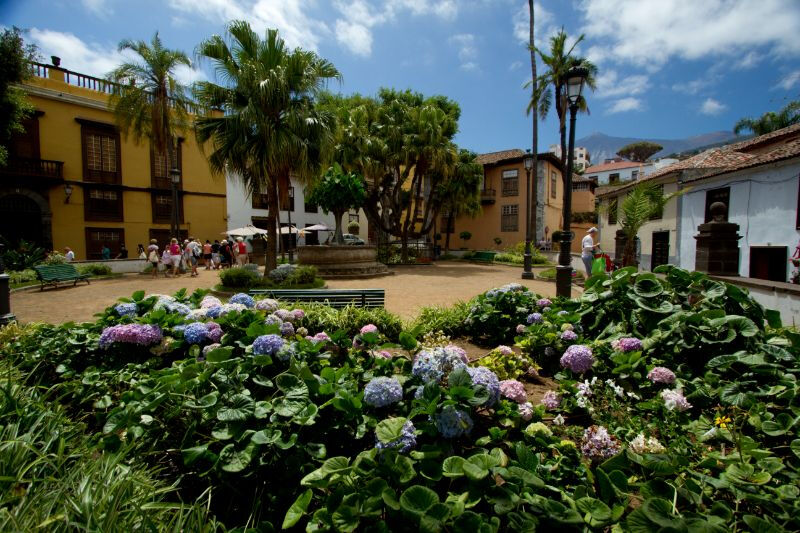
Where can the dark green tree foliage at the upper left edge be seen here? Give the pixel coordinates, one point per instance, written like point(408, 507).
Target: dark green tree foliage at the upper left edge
point(14, 107)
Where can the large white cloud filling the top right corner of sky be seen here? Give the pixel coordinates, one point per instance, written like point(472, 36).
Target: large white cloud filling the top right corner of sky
point(650, 32)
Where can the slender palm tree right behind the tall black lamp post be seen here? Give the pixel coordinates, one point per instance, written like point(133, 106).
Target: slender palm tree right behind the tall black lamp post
point(559, 61)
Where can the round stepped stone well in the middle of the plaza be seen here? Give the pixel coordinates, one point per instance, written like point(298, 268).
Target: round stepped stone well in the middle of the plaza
point(342, 261)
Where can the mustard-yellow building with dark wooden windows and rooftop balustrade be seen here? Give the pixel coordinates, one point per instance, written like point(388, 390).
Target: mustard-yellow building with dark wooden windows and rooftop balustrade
point(74, 180)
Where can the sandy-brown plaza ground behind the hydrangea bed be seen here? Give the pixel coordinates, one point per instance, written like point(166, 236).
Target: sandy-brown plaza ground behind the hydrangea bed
point(409, 289)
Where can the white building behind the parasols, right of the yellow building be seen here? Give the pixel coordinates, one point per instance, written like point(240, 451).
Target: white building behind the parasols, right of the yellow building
point(244, 210)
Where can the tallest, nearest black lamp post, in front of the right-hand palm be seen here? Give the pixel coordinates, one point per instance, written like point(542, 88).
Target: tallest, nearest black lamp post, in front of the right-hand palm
point(575, 80)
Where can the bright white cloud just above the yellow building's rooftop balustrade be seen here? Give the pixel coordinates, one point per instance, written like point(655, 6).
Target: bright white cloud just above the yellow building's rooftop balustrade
point(93, 59)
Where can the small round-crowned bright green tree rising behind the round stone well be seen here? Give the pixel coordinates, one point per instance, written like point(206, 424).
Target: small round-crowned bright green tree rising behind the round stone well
point(337, 192)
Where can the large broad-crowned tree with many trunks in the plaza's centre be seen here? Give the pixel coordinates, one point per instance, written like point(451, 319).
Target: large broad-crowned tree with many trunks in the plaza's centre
point(401, 142)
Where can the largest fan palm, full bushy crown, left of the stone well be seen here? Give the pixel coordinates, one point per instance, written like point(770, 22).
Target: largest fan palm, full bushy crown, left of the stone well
point(269, 126)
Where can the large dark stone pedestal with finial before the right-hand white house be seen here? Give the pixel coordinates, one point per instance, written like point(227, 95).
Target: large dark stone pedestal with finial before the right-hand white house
point(717, 250)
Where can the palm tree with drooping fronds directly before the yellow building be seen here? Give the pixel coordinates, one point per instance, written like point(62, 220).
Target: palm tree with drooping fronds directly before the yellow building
point(150, 102)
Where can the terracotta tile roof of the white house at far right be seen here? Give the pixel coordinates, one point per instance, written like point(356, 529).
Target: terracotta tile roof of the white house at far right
point(734, 157)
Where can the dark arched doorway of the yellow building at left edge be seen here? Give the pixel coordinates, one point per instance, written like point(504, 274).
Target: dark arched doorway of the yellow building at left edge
point(22, 217)
